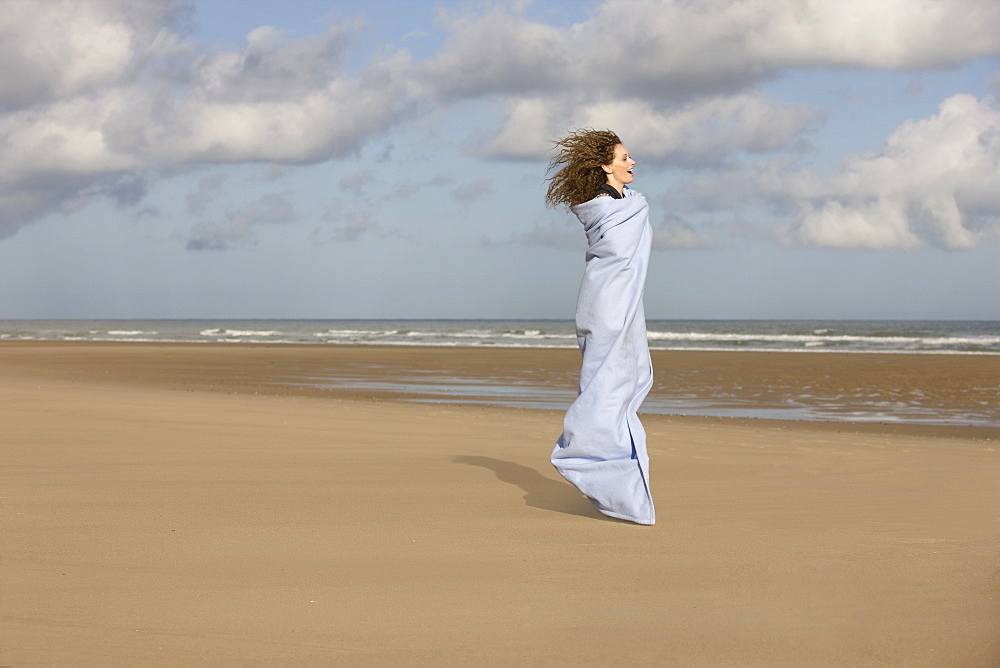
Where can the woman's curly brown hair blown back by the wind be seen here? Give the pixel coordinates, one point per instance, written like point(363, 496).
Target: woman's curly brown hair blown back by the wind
point(578, 158)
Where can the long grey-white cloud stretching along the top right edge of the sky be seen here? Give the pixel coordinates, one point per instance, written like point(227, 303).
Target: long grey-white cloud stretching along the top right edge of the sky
point(673, 49)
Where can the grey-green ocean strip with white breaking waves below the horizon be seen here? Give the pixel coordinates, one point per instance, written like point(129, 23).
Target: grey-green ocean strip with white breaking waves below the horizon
point(889, 336)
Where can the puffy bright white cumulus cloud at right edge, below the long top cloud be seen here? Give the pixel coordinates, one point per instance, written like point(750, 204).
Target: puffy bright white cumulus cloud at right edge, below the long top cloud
point(934, 181)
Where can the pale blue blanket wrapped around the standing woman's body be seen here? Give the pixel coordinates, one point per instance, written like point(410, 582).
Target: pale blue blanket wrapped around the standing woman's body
point(602, 450)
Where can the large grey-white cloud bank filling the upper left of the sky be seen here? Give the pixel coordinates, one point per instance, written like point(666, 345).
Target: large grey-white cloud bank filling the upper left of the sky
point(75, 119)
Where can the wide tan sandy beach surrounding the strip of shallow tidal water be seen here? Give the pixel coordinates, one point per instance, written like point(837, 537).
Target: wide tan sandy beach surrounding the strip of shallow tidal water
point(185, 504)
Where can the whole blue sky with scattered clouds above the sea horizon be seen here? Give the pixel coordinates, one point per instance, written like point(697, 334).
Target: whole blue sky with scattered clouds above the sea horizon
point(803, 159)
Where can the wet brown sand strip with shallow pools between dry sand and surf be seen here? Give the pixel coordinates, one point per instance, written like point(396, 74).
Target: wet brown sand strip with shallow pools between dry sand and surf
point(874, 391)
